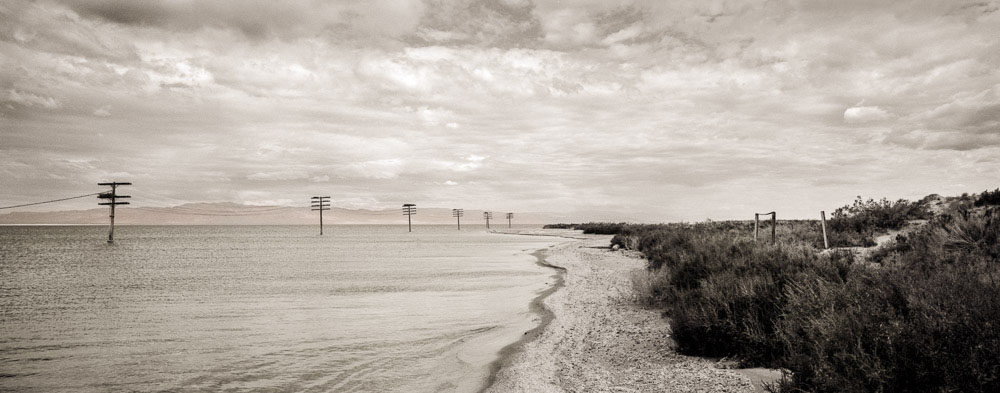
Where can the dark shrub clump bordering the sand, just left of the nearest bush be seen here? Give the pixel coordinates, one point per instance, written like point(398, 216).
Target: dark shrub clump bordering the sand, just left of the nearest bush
point(722, 291)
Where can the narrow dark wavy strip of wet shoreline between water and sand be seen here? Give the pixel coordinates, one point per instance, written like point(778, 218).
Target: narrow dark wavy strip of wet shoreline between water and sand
point(536, 306)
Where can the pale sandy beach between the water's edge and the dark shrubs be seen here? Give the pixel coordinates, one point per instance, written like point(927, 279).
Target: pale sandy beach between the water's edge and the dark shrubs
point(594, 338)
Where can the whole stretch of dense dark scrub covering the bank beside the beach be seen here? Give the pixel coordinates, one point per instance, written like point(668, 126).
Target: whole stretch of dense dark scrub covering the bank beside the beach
point(921, 314)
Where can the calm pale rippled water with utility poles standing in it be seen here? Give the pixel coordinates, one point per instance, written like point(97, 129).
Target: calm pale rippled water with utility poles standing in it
point(266, 308)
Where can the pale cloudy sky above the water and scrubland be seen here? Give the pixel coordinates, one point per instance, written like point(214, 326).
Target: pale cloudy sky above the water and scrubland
point(644, 110)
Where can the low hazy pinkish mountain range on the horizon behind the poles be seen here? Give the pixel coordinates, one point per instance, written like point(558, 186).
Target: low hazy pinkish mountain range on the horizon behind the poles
point(236, 214)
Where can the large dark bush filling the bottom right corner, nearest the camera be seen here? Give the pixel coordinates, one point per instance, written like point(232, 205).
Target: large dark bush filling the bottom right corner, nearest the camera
point(923, 322)
